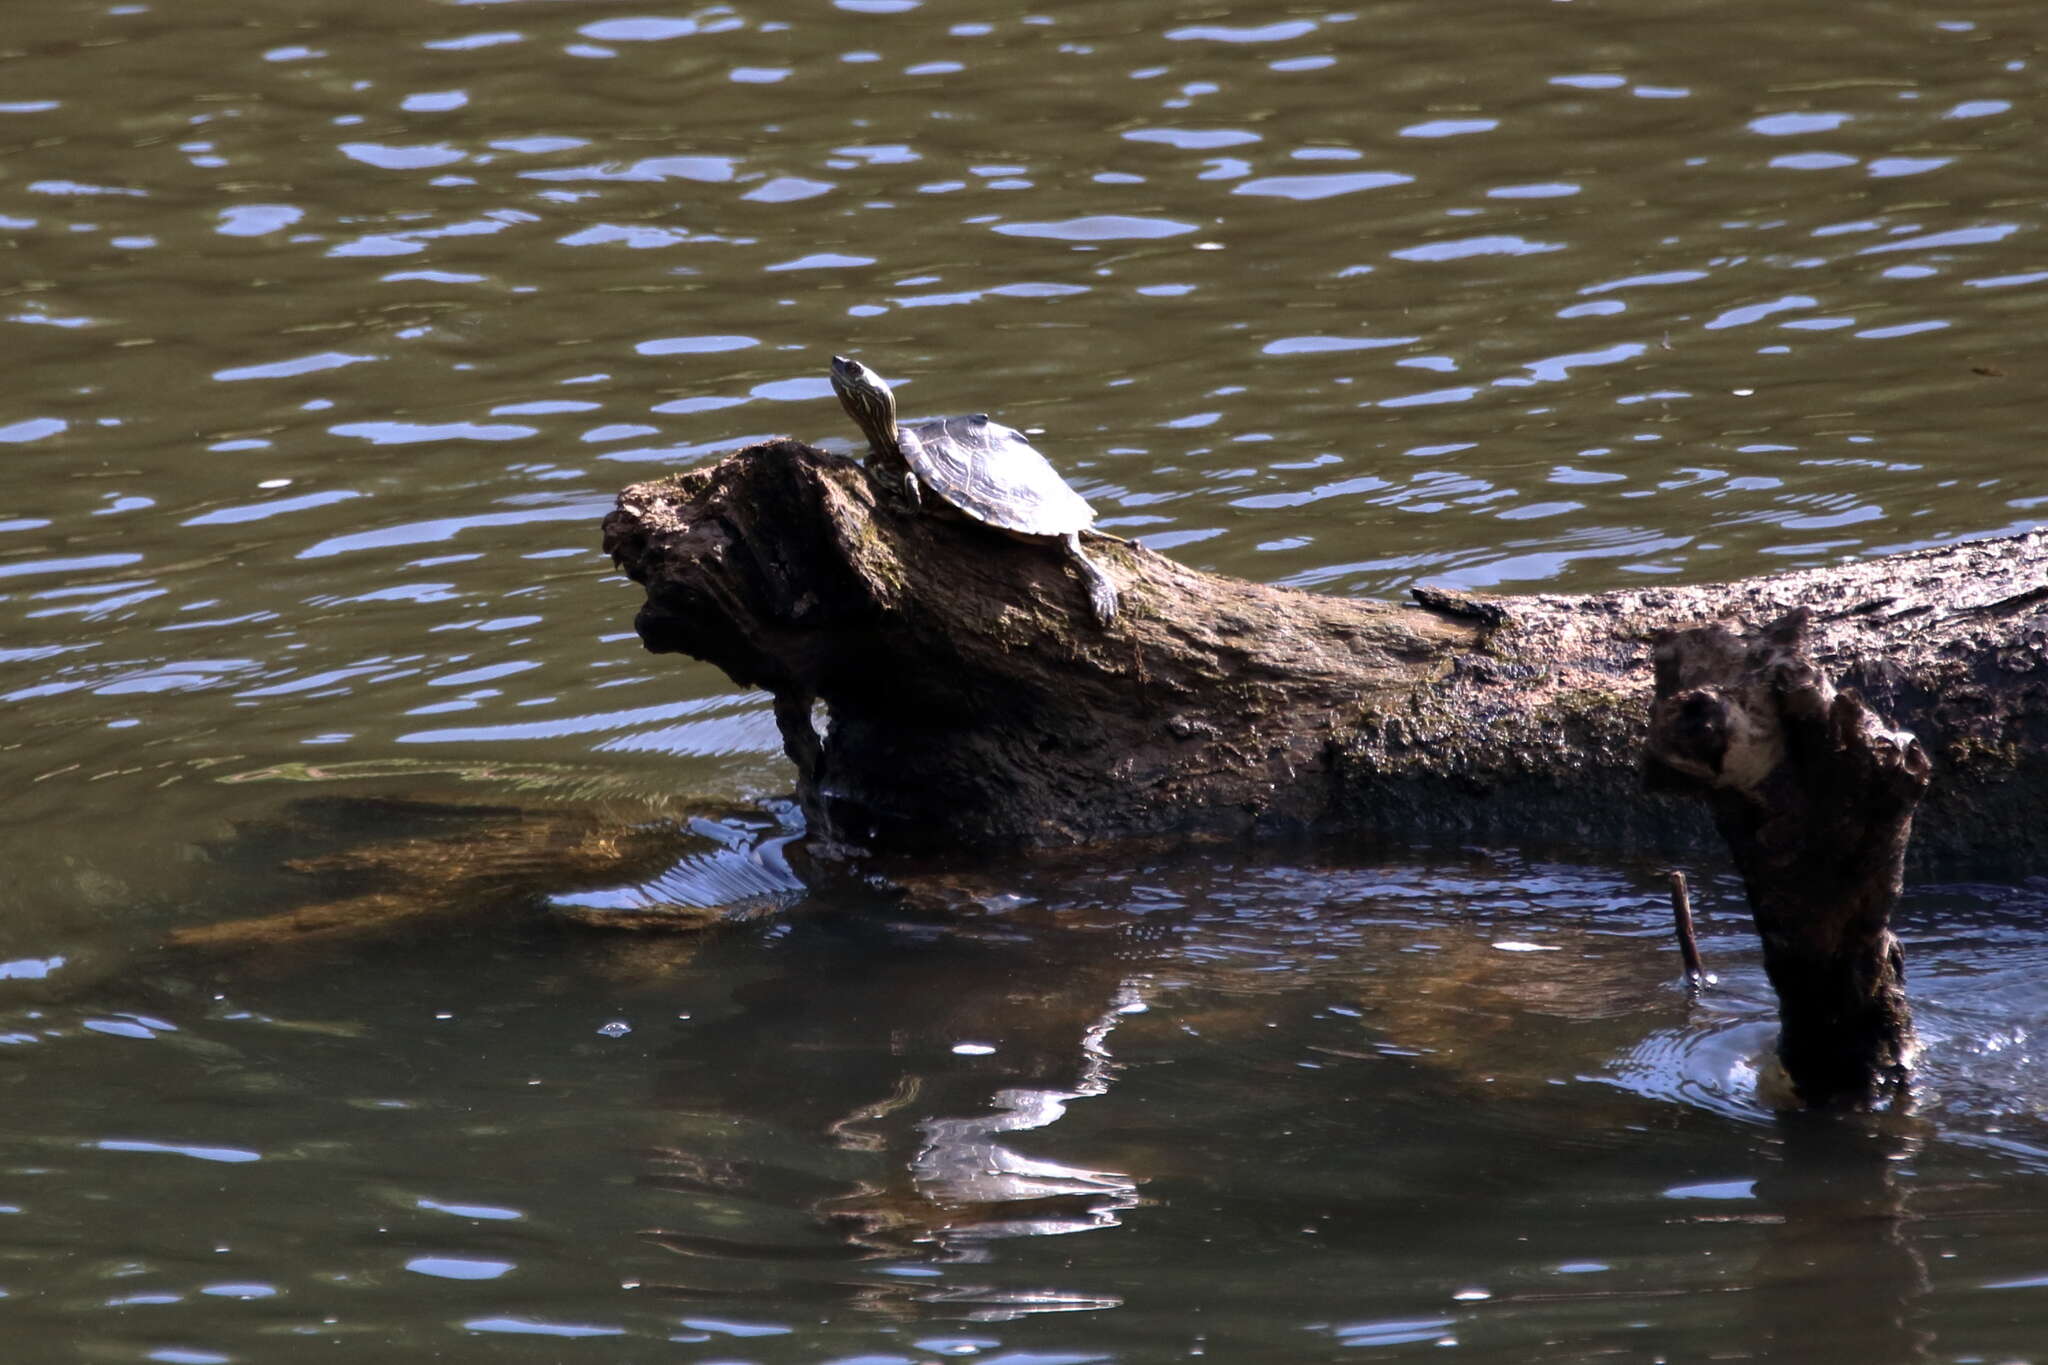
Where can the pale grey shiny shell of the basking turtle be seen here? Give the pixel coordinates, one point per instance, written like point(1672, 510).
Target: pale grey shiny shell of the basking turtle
point(992, 474)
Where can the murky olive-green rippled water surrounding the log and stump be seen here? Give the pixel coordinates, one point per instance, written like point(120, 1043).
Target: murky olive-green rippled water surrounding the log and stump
point(331, 331)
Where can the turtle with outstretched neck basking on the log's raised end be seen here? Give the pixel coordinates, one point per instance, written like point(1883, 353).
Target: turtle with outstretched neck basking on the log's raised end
point(978, 468)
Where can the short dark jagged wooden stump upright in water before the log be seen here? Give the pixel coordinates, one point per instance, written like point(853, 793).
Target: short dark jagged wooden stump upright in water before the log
point(1816, 797)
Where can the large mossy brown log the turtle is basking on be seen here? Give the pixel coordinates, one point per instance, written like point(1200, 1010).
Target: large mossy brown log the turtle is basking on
point(968, 699)
